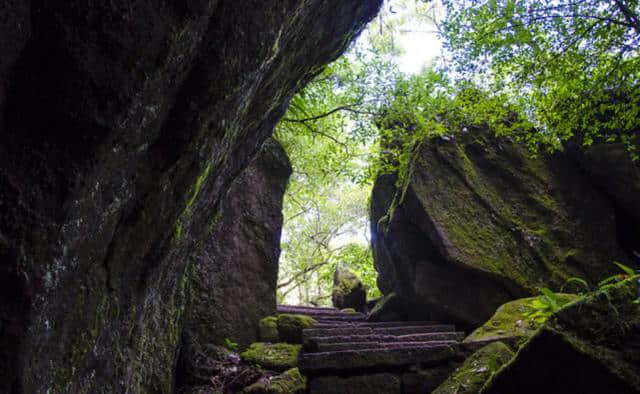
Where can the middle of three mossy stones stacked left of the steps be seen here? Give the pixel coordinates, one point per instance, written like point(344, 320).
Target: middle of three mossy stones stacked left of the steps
point(273, 356)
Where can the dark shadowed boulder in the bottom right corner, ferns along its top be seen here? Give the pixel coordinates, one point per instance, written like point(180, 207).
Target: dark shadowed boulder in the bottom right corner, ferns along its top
point(591, 347)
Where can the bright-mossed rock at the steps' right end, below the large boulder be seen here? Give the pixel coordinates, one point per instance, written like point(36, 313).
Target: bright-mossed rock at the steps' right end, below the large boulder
point(511, 321)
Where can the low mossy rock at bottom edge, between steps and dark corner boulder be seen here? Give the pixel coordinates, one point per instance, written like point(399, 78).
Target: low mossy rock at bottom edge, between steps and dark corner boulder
point(476, 370)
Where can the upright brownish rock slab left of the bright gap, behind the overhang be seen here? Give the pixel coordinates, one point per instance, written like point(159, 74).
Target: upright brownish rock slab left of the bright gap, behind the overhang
point(234, 283)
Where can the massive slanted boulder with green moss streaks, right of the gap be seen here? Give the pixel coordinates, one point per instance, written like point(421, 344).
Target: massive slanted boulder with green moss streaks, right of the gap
point(478, 222)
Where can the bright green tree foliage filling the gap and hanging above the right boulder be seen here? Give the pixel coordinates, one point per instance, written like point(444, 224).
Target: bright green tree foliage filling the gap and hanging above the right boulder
point(543, 73)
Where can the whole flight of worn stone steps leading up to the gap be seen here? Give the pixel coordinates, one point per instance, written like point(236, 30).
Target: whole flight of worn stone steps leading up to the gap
point(344, 353)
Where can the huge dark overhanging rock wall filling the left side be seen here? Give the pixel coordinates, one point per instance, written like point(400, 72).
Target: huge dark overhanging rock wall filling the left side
point(122, 127)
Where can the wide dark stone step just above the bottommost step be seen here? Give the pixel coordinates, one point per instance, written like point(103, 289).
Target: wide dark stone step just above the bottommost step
point(391, 357)
